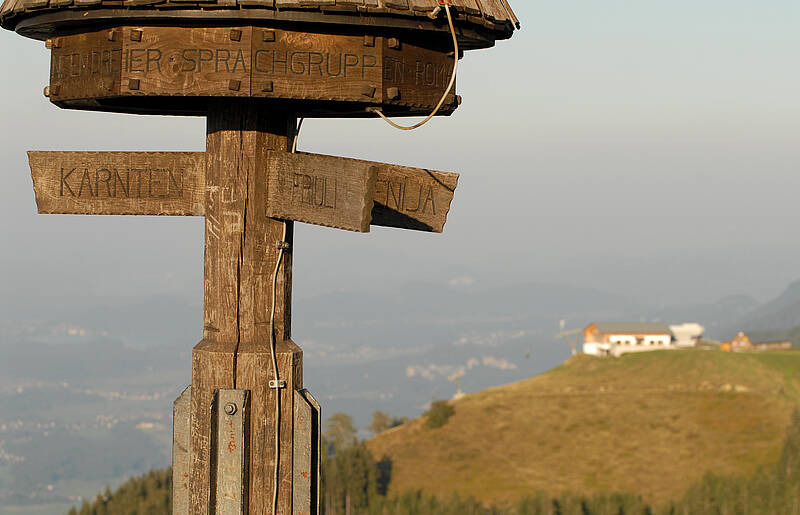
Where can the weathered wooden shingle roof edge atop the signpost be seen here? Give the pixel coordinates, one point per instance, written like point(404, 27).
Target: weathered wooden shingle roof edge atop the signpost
point(480, 22)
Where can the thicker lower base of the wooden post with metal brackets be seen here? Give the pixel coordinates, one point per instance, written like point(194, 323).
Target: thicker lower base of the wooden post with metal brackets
point(213, 368)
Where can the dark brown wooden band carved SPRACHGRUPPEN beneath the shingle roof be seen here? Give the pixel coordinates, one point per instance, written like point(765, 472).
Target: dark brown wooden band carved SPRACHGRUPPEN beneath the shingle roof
point(119, 67)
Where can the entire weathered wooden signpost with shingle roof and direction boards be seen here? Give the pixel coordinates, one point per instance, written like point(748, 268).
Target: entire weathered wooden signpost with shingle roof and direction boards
point(246, 432)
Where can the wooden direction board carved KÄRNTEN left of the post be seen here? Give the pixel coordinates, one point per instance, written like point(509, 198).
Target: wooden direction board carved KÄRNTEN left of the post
point(119, 183)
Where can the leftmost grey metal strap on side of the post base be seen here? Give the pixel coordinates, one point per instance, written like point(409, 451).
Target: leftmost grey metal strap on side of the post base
point(180, 452)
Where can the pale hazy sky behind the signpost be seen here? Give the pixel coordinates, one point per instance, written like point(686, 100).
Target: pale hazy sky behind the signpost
point(643, 147)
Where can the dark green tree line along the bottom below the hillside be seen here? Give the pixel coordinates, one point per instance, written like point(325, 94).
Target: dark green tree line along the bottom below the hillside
point(354, 482)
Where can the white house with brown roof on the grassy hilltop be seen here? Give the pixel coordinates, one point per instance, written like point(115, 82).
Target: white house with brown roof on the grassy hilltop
point(616, 339)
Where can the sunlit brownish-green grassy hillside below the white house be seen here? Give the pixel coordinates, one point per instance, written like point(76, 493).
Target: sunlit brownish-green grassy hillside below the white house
point(649, 423)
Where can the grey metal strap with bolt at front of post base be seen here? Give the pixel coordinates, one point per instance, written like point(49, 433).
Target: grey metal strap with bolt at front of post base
point(229, 452)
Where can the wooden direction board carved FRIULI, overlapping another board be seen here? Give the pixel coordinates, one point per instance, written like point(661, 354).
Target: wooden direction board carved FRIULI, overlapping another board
point(321, 190)
